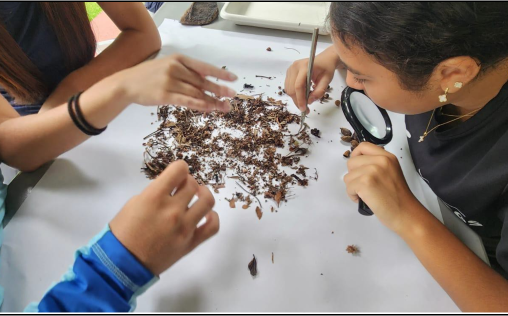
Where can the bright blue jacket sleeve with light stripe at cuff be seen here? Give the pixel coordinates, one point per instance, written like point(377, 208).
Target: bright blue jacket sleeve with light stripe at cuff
point(106, 278)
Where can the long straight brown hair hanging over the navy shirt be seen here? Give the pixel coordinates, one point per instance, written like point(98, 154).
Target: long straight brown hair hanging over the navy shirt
point(20, 77)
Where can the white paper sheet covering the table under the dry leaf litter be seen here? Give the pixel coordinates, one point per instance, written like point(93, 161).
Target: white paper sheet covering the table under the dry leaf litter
point(312, 272)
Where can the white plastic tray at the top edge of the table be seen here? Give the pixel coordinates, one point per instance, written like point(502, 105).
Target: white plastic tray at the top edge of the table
point(290, 16)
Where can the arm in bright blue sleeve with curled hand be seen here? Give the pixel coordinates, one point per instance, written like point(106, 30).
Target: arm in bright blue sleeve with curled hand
point(120, 263)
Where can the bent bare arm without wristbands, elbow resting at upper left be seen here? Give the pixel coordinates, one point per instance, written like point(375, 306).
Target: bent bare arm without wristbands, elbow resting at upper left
point(139, 39)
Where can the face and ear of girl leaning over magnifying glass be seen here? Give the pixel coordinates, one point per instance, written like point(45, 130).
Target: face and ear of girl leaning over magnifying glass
point(382, 85)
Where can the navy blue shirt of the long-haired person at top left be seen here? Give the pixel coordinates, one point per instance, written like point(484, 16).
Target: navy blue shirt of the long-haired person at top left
point(27, 24)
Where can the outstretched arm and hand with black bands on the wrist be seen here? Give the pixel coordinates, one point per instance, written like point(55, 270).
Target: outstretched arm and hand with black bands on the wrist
point(28, 142)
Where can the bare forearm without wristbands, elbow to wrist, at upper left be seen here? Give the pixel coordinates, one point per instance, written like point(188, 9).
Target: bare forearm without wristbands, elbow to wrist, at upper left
point(129, 49)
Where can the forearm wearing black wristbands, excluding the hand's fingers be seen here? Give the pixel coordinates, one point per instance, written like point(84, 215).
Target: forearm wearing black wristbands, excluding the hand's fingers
point(28, 142)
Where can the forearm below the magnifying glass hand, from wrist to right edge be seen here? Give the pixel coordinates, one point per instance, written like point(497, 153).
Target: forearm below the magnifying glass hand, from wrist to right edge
point(472, 285)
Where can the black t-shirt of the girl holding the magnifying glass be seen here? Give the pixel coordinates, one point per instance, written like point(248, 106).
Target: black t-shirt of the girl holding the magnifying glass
point(467, 167)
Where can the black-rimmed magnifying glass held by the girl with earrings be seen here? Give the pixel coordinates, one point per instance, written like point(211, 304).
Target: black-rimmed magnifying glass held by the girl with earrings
point(370, 122)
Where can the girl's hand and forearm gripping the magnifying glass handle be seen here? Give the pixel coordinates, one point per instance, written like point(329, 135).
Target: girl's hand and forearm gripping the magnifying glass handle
point(376, 177)
